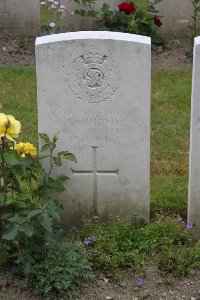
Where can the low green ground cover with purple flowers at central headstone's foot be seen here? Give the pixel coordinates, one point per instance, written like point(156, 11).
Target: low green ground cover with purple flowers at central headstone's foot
point(119, 243)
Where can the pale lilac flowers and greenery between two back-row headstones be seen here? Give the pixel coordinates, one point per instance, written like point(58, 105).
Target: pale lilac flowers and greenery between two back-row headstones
point(51, 10)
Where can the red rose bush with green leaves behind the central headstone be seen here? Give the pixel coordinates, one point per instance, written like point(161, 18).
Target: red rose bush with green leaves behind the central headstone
point(127, 17)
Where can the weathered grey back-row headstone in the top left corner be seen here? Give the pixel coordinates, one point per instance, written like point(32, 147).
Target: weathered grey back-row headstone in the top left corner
point(20, 17)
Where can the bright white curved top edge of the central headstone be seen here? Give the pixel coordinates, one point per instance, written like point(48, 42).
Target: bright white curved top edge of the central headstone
point(84, 35)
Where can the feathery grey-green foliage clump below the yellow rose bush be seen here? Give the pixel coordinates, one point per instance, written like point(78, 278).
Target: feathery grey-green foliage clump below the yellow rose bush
point(64, 267)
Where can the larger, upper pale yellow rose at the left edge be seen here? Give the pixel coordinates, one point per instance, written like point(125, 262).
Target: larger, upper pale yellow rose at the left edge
point(9, 127)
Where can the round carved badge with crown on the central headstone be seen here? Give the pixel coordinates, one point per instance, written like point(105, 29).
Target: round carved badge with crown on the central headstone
point(93, 76)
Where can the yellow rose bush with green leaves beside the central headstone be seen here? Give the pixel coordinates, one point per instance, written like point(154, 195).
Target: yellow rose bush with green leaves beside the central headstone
point(29, 217)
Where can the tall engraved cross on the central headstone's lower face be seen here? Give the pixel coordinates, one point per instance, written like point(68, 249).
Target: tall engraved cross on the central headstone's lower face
point(95, 172)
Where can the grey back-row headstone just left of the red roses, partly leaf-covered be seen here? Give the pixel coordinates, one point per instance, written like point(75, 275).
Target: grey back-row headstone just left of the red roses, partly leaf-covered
point(73, 22)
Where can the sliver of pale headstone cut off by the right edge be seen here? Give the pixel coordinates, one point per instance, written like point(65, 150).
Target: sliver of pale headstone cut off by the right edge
point(194, 167)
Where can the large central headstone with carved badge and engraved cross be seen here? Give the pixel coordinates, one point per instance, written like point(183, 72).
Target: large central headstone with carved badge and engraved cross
point(94, 88)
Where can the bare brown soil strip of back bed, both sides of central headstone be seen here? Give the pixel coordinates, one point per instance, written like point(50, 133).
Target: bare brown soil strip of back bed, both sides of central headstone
point(20, 51)
